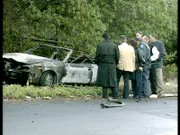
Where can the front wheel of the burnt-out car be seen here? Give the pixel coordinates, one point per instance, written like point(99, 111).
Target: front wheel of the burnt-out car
point(47, 79)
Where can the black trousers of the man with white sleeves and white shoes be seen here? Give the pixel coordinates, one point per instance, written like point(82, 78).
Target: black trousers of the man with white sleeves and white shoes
point(152, 78)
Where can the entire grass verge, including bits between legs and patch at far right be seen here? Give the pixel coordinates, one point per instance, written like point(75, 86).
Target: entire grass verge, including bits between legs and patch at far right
point(14, 92)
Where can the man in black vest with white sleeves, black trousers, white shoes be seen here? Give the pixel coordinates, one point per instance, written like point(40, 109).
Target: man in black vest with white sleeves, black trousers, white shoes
point(154, 54)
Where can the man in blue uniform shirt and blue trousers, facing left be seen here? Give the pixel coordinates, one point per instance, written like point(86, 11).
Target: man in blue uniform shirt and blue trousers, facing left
point(146, 69)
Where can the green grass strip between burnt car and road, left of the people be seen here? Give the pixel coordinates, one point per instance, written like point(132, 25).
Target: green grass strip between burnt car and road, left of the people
point(60, 91)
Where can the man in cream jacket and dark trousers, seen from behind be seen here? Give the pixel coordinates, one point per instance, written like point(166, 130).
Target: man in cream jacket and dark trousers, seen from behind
point(126, 64)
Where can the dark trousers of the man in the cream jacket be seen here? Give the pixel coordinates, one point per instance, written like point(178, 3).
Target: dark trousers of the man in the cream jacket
point(126, 81)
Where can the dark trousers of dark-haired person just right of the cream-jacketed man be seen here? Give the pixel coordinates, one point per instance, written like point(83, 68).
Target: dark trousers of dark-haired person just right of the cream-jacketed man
point(137, 83)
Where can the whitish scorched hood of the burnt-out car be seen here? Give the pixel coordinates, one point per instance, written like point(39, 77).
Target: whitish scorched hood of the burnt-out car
point(25, 58)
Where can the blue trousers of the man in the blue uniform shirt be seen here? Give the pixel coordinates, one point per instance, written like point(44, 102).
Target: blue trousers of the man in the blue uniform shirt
point(145, 81)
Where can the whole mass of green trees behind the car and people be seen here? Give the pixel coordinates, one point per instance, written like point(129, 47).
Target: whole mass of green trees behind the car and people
point(79, 24)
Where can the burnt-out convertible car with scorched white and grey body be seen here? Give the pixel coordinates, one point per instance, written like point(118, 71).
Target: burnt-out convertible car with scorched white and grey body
point(45, 65)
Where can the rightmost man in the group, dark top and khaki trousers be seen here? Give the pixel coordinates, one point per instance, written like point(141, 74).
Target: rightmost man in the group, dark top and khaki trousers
point(159, 63)
